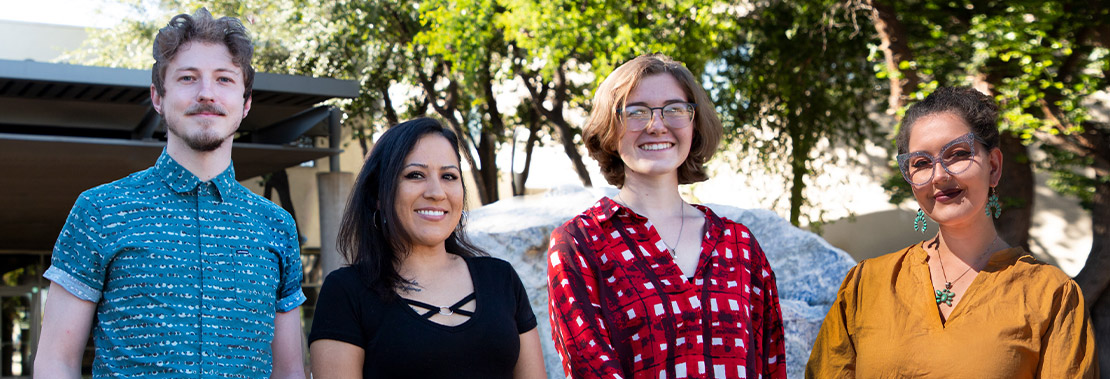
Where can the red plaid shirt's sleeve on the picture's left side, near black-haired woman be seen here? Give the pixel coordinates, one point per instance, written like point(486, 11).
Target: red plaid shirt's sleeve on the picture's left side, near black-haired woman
point(578, 326)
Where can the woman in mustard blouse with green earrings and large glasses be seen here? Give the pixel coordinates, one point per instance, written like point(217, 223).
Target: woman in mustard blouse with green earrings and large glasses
point(962, 304)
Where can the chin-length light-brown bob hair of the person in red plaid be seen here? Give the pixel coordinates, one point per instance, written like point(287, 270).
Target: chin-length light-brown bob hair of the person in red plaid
point(604, 129)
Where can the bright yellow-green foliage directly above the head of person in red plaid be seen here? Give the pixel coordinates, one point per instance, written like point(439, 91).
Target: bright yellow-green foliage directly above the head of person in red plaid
point(597, 37)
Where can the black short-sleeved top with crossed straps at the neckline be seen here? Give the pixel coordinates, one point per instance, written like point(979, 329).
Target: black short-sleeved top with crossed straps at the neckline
point(401, 343)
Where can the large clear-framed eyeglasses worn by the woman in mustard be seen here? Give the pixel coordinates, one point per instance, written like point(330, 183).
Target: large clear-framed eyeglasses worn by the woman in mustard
point(956, 157)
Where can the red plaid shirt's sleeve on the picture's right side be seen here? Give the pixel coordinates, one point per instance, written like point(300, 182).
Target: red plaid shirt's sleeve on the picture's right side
point(774, 347)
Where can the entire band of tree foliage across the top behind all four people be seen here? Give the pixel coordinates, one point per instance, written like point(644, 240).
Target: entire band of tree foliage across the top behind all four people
point(790, 78)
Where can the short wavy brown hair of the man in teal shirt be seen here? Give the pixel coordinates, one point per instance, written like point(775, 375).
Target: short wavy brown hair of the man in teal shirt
point(203, 28)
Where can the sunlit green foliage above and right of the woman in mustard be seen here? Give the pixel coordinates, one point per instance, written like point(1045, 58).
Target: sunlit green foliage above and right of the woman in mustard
point(1041, 57)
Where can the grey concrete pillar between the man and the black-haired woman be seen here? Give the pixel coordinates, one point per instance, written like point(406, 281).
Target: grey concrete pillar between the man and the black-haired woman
point(334, 189)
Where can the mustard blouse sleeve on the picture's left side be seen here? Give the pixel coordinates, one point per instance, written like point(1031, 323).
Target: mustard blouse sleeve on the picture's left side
point(834, 355)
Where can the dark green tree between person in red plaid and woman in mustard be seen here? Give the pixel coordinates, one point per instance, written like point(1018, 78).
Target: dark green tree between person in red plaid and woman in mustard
point(796, 77)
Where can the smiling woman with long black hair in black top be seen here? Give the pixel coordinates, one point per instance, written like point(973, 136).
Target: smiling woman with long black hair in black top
point(418, 301)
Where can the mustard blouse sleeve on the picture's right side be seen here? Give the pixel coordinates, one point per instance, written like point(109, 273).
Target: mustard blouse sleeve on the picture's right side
point(1068, 348)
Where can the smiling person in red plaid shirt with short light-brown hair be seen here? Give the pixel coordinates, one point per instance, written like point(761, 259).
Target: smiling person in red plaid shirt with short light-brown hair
point(645, 285)
